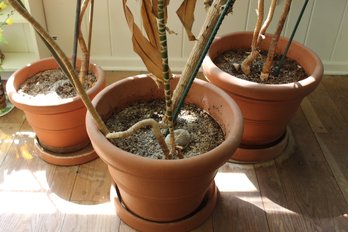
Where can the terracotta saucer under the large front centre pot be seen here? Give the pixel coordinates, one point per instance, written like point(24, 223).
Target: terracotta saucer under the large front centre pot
point(185, 224)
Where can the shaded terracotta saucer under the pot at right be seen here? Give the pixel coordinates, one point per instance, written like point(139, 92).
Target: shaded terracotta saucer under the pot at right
point(256, 154)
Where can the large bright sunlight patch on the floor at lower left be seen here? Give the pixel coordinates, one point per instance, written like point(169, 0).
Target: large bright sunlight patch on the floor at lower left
point(24, 192)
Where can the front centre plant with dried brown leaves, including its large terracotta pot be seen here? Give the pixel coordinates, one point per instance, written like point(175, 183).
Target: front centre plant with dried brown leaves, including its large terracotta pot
point(172, 194)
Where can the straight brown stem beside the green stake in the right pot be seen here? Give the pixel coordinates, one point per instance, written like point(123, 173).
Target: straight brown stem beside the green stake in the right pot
point(271, 51)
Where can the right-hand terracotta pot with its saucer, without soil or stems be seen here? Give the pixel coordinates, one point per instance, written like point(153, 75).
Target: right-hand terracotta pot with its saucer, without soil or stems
point(266, 108)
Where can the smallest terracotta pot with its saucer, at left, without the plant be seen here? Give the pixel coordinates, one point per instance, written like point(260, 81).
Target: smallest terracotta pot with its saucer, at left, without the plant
point(59, 125)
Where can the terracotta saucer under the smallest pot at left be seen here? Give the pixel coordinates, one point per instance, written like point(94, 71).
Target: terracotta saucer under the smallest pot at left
point(81, 156)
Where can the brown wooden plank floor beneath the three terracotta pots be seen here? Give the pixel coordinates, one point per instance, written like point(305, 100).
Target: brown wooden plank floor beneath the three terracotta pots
point(306, 189)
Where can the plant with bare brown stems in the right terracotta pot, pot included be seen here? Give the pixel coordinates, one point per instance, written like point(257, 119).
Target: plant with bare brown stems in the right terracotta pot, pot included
point(267, 105)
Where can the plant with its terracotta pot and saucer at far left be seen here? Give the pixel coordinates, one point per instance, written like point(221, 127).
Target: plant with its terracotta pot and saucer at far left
point(58, 122)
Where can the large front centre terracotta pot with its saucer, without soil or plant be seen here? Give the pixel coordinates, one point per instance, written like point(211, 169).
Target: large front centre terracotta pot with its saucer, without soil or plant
point(165, 195)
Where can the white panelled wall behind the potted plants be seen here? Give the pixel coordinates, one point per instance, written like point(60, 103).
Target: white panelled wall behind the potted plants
point(324, 28)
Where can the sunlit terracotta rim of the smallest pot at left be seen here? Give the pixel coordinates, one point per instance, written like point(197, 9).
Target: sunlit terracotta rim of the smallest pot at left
point(22, 101)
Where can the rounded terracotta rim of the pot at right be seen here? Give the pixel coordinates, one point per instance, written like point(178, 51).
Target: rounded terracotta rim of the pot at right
point(253, 88)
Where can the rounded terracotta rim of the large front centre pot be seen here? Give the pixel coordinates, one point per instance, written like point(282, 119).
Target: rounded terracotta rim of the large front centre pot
point(167, 165)
